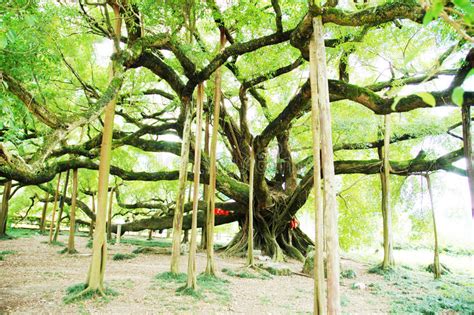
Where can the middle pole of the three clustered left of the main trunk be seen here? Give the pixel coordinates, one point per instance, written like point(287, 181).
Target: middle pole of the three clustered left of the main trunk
point(192, 282)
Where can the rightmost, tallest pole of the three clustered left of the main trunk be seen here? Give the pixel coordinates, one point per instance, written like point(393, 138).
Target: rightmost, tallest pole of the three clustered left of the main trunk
point(210, 266)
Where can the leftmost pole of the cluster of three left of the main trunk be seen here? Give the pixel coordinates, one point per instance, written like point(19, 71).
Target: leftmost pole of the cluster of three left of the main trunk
point(183, 173)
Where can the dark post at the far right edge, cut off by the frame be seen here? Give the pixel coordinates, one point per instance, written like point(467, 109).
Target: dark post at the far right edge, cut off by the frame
point(467, 143)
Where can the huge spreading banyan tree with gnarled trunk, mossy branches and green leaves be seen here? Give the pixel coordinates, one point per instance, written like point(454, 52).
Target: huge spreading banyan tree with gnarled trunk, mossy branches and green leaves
point(383, 57)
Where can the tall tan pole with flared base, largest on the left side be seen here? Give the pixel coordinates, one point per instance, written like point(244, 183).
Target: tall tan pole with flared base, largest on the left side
point(95, 277)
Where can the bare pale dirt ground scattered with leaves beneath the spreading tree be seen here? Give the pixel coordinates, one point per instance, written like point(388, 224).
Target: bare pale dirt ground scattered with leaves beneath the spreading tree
point(35, 277)
